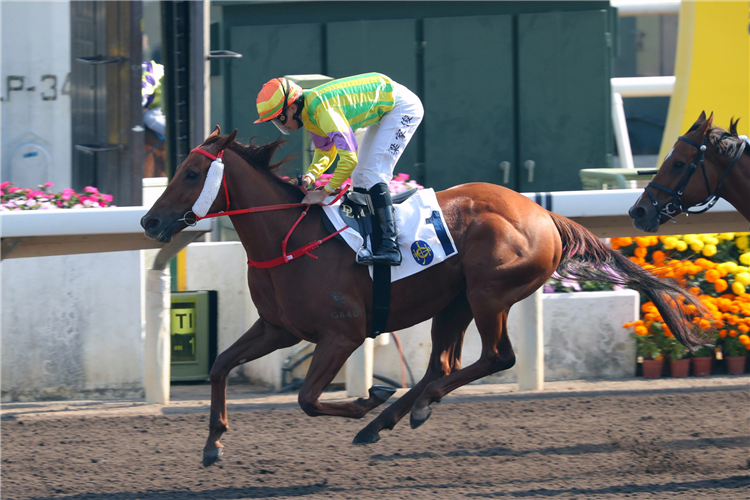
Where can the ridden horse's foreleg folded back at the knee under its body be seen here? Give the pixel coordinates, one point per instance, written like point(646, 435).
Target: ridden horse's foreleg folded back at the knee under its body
point(328, 359)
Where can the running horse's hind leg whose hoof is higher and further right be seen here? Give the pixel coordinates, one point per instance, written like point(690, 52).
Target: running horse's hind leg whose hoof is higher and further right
point(497, 355)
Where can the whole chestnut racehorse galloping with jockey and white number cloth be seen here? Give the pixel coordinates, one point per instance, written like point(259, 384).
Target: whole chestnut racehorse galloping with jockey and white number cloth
point(508, 246)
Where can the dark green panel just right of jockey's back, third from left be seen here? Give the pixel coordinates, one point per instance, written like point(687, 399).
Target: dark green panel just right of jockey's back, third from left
point(469, 122)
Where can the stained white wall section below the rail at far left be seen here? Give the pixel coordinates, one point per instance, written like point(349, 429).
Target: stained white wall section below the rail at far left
point(71, 326)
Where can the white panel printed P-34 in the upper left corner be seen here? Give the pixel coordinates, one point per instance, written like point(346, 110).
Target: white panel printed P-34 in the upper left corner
point(35, 134)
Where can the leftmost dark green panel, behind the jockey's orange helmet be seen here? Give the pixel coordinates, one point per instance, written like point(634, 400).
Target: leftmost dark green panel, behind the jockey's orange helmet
point(269, 52)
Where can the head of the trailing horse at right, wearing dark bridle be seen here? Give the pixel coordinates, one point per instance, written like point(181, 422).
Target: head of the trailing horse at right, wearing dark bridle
point(674, 188)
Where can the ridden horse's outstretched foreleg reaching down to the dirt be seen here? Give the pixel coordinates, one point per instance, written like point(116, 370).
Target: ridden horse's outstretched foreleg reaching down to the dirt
point(259, 340)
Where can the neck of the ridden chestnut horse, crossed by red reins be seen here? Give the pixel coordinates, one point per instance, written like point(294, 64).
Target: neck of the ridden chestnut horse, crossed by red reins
point(260, 233)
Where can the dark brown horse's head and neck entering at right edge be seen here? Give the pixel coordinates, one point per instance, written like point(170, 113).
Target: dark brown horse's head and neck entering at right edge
point(720, 161)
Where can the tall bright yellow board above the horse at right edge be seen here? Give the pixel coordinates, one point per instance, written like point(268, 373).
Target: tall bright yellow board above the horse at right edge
point(712, 67)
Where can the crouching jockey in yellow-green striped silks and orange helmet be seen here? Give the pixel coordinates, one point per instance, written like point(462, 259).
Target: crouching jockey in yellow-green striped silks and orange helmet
point(332, 112)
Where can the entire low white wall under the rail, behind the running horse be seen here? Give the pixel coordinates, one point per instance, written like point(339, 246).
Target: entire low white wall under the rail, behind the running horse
point(73, 326)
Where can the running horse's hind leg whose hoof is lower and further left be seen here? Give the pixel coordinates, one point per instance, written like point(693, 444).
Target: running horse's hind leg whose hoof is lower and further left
point(448, 329)
